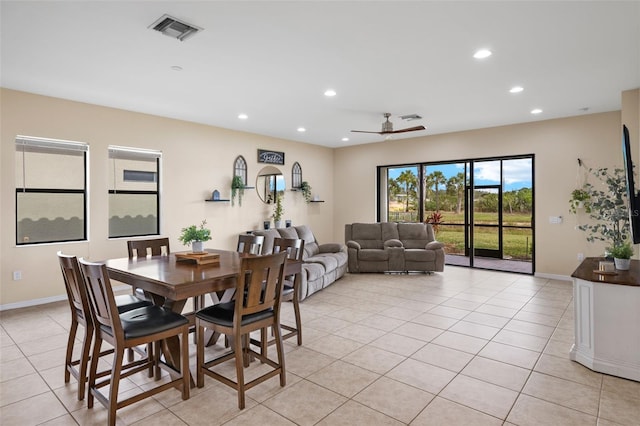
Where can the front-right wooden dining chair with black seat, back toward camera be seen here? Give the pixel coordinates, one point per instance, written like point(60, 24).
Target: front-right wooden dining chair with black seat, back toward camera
point(260, 279)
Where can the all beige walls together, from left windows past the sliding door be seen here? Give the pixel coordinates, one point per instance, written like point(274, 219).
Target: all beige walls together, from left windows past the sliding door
point(198, 159)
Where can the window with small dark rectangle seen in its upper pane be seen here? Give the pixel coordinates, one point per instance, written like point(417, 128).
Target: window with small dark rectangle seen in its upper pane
point(134, 196)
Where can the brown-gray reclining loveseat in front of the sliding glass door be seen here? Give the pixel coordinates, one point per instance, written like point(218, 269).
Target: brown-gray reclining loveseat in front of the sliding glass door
point(393, 247)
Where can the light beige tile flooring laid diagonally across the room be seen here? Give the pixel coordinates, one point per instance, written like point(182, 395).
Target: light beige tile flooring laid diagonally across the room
point(463, 347)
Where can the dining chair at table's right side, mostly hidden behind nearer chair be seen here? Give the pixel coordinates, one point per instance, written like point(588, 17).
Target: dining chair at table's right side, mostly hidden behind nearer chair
point(294, 247)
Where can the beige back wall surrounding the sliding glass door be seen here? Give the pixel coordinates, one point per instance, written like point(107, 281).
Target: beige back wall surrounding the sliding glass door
point(556, 144)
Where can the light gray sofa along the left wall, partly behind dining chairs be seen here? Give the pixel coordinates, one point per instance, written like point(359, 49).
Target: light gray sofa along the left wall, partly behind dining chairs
point(323, 263)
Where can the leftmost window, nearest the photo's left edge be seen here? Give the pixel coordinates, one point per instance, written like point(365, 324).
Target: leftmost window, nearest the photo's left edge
point(51, 190)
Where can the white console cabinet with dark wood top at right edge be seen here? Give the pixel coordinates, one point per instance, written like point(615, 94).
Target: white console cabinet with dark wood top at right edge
point(607, 319)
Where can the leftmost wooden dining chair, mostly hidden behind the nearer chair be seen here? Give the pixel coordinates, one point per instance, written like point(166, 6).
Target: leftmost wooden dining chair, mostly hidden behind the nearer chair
point(81, 315)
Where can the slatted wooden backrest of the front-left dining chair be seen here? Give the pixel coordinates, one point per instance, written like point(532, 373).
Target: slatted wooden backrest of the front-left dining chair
point(101, 298)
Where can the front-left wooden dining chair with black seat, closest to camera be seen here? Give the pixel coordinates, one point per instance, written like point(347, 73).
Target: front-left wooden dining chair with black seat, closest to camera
point(142, 326)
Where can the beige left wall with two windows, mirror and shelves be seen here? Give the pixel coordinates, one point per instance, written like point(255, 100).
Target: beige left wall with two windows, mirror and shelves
point(196, 160)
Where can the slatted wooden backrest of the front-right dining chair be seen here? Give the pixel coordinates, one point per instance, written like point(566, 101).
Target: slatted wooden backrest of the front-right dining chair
point(261, 280)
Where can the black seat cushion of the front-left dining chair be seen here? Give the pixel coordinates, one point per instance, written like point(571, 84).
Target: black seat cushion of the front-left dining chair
point(148, 320)
